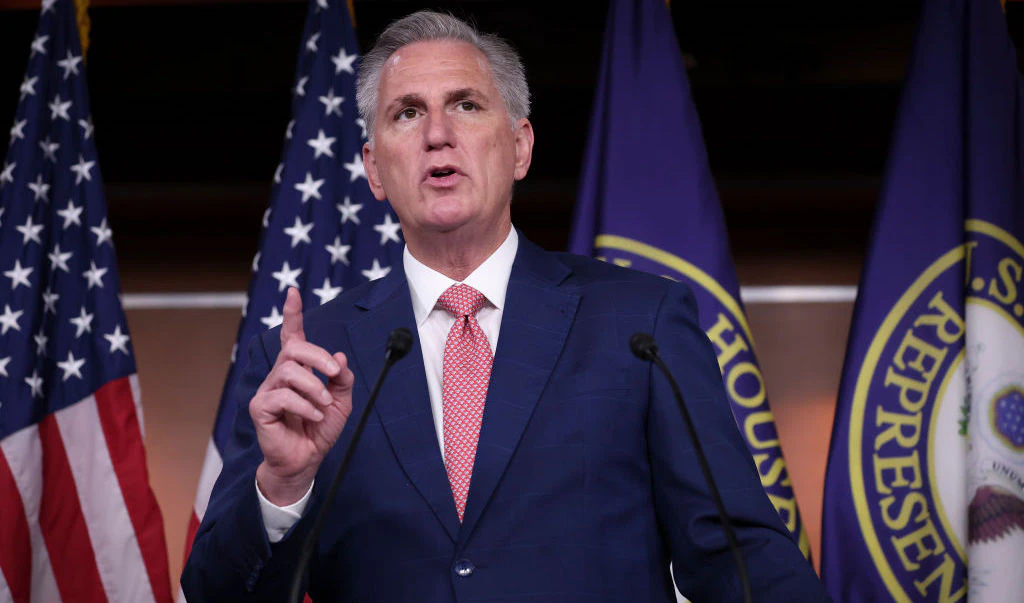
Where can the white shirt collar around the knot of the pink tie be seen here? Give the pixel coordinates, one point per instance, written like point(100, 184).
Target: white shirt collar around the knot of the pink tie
point(491, 279)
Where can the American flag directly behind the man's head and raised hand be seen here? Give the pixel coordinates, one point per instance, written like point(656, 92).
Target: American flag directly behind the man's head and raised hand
point(324, 231)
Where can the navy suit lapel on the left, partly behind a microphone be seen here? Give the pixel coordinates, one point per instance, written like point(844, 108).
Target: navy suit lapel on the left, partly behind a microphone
point(404, 404)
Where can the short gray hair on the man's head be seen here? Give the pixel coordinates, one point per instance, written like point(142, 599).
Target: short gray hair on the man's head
point(510, 77)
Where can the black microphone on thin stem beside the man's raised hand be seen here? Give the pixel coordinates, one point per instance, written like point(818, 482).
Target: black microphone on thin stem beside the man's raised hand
point(399, 343)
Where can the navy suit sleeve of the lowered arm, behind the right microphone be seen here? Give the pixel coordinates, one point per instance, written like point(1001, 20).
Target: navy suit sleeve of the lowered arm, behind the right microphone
point(703, 565)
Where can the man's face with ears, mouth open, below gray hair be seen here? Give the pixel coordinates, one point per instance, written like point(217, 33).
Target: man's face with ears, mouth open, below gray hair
point(445, 151)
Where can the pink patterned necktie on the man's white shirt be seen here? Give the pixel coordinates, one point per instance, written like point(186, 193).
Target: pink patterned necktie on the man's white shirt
point(466, 374)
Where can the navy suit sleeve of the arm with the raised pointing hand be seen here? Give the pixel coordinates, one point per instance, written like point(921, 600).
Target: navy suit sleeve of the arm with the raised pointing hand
point(232, 558)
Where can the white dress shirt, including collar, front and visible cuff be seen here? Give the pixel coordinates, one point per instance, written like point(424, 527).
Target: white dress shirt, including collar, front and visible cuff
point(433, 325)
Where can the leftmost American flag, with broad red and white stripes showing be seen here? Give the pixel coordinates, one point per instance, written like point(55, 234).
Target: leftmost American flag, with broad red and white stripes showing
point(78, 521)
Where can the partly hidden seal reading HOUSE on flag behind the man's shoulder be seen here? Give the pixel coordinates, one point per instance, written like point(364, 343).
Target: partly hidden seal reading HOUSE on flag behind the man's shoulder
point(723, 321)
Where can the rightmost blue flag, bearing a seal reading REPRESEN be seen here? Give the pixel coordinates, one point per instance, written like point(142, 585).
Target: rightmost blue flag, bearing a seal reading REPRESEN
point(925, 487)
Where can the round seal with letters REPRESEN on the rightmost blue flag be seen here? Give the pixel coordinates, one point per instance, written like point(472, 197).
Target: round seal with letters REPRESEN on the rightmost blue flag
point(937, 428)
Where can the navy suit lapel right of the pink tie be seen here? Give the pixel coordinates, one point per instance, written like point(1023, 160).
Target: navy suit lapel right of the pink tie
point(535, 324)
